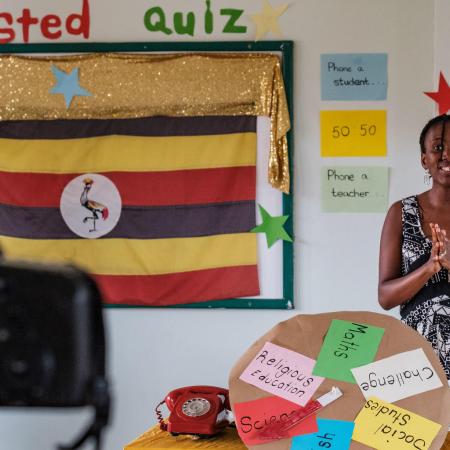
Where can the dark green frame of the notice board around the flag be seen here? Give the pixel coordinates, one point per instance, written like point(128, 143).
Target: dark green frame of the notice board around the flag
point(283, 48)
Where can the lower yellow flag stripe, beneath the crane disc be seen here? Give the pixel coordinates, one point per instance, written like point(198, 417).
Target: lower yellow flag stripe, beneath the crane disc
point(138, 256)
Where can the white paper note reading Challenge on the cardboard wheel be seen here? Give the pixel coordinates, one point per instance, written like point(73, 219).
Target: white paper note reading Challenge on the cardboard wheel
point(398, 376)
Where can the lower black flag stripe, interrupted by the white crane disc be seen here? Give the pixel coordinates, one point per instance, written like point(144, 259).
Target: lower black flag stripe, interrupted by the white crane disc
point(135, 222)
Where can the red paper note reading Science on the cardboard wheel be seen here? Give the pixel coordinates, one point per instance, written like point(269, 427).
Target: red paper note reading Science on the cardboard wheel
point(254, 416)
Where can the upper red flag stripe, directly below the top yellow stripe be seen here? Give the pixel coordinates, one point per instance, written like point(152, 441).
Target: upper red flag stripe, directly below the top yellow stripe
point(186, 187)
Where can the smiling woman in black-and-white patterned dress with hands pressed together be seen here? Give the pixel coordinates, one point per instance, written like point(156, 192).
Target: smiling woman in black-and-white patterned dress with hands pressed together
point(415, 251)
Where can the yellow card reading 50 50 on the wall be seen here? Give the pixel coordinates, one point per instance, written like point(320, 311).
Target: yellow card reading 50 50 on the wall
point(353, 133)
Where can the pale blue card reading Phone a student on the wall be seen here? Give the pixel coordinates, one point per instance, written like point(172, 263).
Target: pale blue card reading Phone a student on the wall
point(353, 76)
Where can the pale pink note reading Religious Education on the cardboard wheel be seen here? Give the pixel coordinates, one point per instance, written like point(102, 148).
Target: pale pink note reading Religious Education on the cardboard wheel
point(282, 372)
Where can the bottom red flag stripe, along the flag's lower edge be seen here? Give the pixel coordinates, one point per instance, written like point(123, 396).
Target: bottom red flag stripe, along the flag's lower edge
point(183, 287)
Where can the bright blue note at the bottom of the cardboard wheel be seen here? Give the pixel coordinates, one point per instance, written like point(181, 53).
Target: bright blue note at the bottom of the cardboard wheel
point(332, 435)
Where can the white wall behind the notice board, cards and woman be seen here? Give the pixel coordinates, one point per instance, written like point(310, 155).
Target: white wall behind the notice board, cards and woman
point(153, 351)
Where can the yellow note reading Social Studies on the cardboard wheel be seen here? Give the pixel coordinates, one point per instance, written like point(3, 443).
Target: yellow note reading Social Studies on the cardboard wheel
point(383, 425)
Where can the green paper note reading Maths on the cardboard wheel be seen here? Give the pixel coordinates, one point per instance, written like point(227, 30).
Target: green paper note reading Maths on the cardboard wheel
point(347, 345)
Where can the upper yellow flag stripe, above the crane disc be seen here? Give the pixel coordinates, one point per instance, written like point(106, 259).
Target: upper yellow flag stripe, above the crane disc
point(127, 153)
